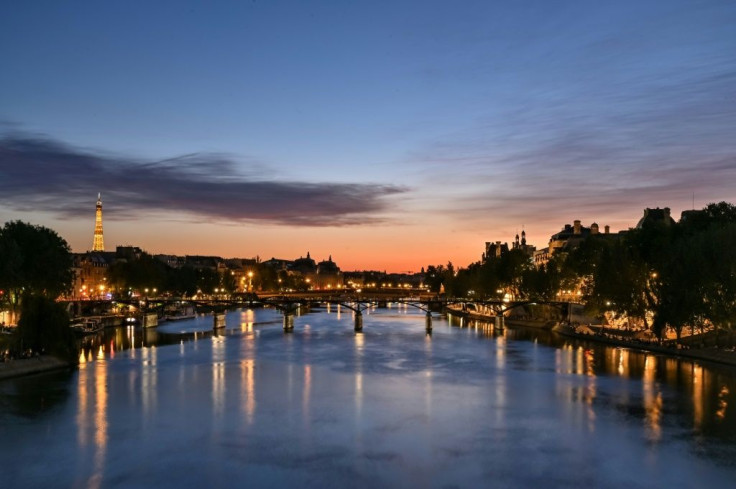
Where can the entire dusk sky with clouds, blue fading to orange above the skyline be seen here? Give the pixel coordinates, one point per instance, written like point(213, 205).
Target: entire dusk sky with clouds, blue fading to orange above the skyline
point(390, 135)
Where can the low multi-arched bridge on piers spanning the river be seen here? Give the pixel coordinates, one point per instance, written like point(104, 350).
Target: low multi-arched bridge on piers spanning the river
point(291, 303)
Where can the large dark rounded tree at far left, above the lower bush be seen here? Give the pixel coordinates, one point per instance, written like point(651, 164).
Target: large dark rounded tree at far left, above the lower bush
point(34, 260)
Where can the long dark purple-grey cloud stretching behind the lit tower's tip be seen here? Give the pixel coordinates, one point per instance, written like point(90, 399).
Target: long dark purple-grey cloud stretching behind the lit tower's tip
point(39, 174)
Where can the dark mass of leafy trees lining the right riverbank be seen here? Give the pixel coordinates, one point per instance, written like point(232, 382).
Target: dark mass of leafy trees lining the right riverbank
point(660, 275)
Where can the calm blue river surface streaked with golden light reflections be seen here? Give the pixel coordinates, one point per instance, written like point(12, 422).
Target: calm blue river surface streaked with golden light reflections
point(325, 407)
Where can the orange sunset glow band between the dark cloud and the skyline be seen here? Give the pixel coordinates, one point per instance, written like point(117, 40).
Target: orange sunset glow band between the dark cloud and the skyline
point(396, 247)
